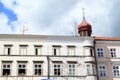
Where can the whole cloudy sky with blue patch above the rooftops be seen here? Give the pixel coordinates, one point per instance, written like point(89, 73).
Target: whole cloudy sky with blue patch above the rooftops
point(58, 17)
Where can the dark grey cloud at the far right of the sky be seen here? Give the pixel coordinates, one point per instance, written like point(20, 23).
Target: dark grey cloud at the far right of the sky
point(115, 19)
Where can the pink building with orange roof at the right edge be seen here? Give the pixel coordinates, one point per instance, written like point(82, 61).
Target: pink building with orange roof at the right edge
point(108, 58)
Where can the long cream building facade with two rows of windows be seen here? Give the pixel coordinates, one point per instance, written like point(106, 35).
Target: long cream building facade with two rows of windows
point(36, 57)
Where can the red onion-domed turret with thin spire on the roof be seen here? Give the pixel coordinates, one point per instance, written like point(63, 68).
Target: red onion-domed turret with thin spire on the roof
point(84, 29)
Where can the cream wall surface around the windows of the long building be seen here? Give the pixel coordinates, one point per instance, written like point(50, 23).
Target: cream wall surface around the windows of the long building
point(80, 52)
